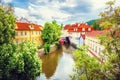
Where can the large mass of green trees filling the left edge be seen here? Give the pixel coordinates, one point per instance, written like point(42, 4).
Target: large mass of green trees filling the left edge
point(17, 62)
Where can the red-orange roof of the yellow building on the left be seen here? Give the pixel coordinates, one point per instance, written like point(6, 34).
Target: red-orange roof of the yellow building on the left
point(27, 26)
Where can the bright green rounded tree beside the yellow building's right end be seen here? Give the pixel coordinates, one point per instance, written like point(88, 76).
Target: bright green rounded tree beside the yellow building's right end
point(51, 32)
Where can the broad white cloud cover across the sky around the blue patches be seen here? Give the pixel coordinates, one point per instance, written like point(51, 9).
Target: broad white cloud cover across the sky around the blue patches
point(51, 10)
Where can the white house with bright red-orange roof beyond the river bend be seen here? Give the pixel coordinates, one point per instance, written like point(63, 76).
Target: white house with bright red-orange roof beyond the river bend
point(77, 32)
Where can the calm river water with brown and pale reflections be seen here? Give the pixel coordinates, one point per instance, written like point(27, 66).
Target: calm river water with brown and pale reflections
point(57, 65)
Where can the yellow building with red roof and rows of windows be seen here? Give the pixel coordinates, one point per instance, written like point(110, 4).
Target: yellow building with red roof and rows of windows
point(28, 32)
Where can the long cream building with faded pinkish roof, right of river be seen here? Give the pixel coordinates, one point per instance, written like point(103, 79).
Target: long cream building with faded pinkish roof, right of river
point(95, 48)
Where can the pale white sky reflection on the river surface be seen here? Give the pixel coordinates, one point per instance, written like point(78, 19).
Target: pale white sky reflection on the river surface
point(64, 68)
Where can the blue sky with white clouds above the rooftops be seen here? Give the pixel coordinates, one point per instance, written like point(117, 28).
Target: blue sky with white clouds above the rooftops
point(63, 11)
